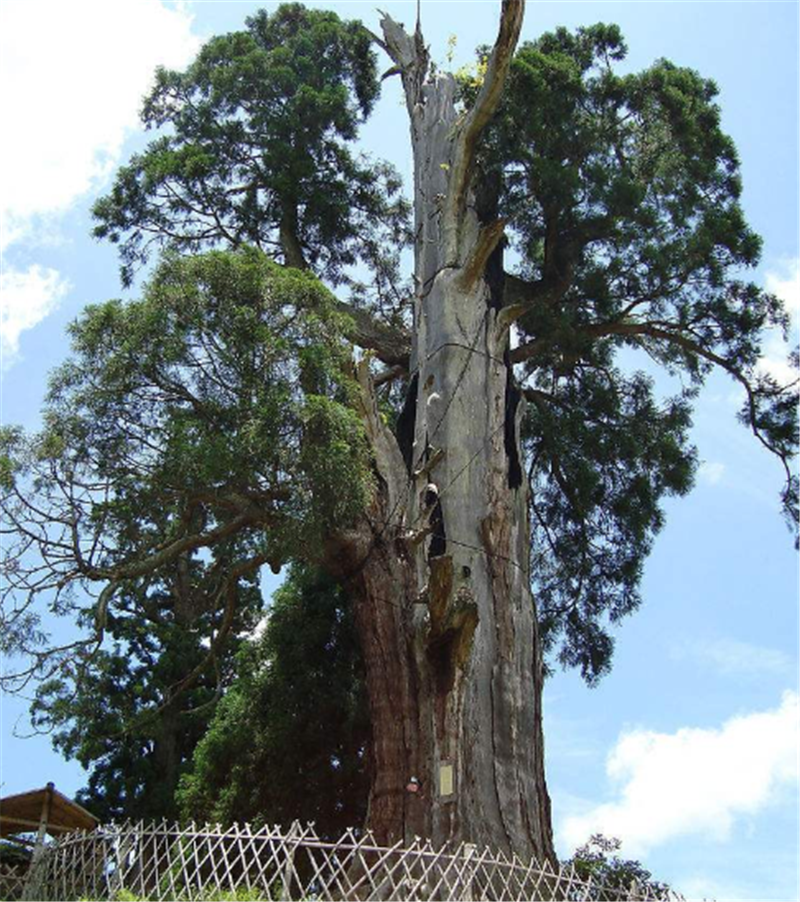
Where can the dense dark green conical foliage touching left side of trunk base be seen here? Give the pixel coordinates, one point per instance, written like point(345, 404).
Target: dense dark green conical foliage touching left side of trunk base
point(300, 690)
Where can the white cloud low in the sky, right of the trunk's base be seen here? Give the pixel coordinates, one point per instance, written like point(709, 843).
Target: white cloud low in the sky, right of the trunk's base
point(693, 781)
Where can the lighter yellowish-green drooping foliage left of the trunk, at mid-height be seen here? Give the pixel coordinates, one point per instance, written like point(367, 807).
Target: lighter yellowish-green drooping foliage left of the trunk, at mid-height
point(181, 449)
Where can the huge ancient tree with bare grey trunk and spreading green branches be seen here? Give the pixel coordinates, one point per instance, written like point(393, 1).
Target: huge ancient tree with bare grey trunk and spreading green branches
point(474, 460)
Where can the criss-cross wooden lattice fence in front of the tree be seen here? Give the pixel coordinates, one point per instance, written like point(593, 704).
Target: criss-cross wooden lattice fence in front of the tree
point(197, 863)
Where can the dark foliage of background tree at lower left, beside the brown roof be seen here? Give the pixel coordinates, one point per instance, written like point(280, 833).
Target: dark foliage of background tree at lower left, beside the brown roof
point(121, 715)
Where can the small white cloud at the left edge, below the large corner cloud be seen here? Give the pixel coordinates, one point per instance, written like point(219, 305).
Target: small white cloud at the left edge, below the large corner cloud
point(26, 298)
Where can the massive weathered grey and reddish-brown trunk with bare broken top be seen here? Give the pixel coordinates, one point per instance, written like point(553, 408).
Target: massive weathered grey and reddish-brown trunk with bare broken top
point(439, 572)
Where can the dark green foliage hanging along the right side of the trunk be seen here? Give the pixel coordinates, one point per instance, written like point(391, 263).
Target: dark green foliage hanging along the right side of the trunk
point(622, 196)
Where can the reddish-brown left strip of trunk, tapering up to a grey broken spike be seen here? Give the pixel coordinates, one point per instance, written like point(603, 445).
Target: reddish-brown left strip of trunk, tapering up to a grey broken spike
point(374, 563)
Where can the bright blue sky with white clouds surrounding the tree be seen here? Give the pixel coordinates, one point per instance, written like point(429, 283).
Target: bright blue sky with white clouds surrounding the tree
point(687, 751)
